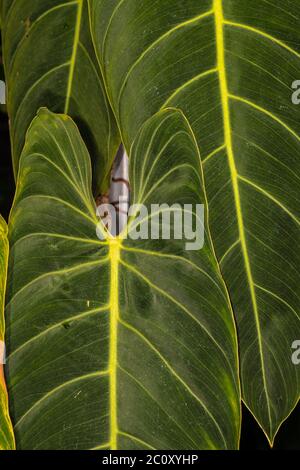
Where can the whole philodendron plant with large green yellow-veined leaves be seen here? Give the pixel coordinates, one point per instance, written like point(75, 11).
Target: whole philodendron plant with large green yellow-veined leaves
point(120, 342)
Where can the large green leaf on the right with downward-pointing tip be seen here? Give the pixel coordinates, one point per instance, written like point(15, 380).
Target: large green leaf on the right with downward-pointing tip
point(229, 66)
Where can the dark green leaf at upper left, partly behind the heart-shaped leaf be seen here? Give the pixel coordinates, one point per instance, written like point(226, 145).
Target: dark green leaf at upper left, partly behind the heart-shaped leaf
point(50, 61)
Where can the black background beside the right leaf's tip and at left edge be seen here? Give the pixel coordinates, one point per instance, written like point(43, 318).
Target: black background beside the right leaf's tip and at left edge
point(252, 437)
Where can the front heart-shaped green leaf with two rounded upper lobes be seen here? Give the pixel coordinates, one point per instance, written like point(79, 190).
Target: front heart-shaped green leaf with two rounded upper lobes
point(115, 343)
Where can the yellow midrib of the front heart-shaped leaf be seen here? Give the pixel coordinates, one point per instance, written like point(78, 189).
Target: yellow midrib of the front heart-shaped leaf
point(114, 255)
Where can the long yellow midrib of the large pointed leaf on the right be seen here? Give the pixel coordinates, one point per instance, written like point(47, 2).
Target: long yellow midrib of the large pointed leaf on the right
point(219, 21)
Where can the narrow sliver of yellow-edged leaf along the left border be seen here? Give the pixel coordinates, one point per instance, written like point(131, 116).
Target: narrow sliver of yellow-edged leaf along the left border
point(6, 433)
